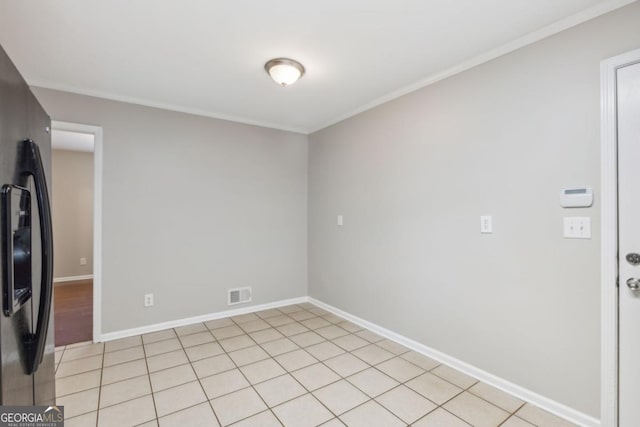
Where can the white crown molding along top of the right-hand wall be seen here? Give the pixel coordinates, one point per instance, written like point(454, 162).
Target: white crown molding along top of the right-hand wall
point(556, 27)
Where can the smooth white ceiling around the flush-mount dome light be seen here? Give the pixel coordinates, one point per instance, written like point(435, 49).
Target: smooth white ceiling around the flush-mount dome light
point(207, 56)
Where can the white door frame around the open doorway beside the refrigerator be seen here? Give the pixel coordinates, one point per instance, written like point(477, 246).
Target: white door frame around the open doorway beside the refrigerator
point(96, 131)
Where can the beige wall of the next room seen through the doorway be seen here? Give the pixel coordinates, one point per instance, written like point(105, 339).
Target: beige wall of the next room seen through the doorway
point(72, 211)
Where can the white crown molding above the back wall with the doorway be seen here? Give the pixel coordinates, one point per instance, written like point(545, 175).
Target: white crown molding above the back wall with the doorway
point(163, 106)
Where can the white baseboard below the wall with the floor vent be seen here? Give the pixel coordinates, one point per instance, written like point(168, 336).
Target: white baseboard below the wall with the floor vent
point(109, 336)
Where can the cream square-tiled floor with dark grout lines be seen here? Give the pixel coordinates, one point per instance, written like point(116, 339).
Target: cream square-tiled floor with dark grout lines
point(295, 366)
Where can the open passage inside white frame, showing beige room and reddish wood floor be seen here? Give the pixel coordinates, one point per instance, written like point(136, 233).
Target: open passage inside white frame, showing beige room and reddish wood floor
point(72, 212)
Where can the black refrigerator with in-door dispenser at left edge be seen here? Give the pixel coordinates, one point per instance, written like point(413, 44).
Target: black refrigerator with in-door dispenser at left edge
point(27, 349)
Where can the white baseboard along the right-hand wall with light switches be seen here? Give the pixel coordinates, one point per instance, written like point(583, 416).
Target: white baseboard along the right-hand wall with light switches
point(522, 393)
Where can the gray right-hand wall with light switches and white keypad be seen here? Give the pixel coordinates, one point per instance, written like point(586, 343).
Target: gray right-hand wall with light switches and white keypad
point(413, 176)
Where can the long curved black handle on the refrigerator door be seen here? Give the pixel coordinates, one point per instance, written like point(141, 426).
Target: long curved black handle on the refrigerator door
point(35, 343)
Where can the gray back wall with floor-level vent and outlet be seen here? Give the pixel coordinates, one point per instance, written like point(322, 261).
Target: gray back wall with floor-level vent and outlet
point(192, 206)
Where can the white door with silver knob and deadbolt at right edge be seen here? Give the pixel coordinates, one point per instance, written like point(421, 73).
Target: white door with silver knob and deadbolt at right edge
point(628, 95)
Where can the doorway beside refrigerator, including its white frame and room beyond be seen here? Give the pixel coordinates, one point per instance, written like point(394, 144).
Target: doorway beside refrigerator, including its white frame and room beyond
point(77, 218)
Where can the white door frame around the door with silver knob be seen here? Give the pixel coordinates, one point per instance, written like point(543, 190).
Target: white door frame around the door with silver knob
point(609, 224)
